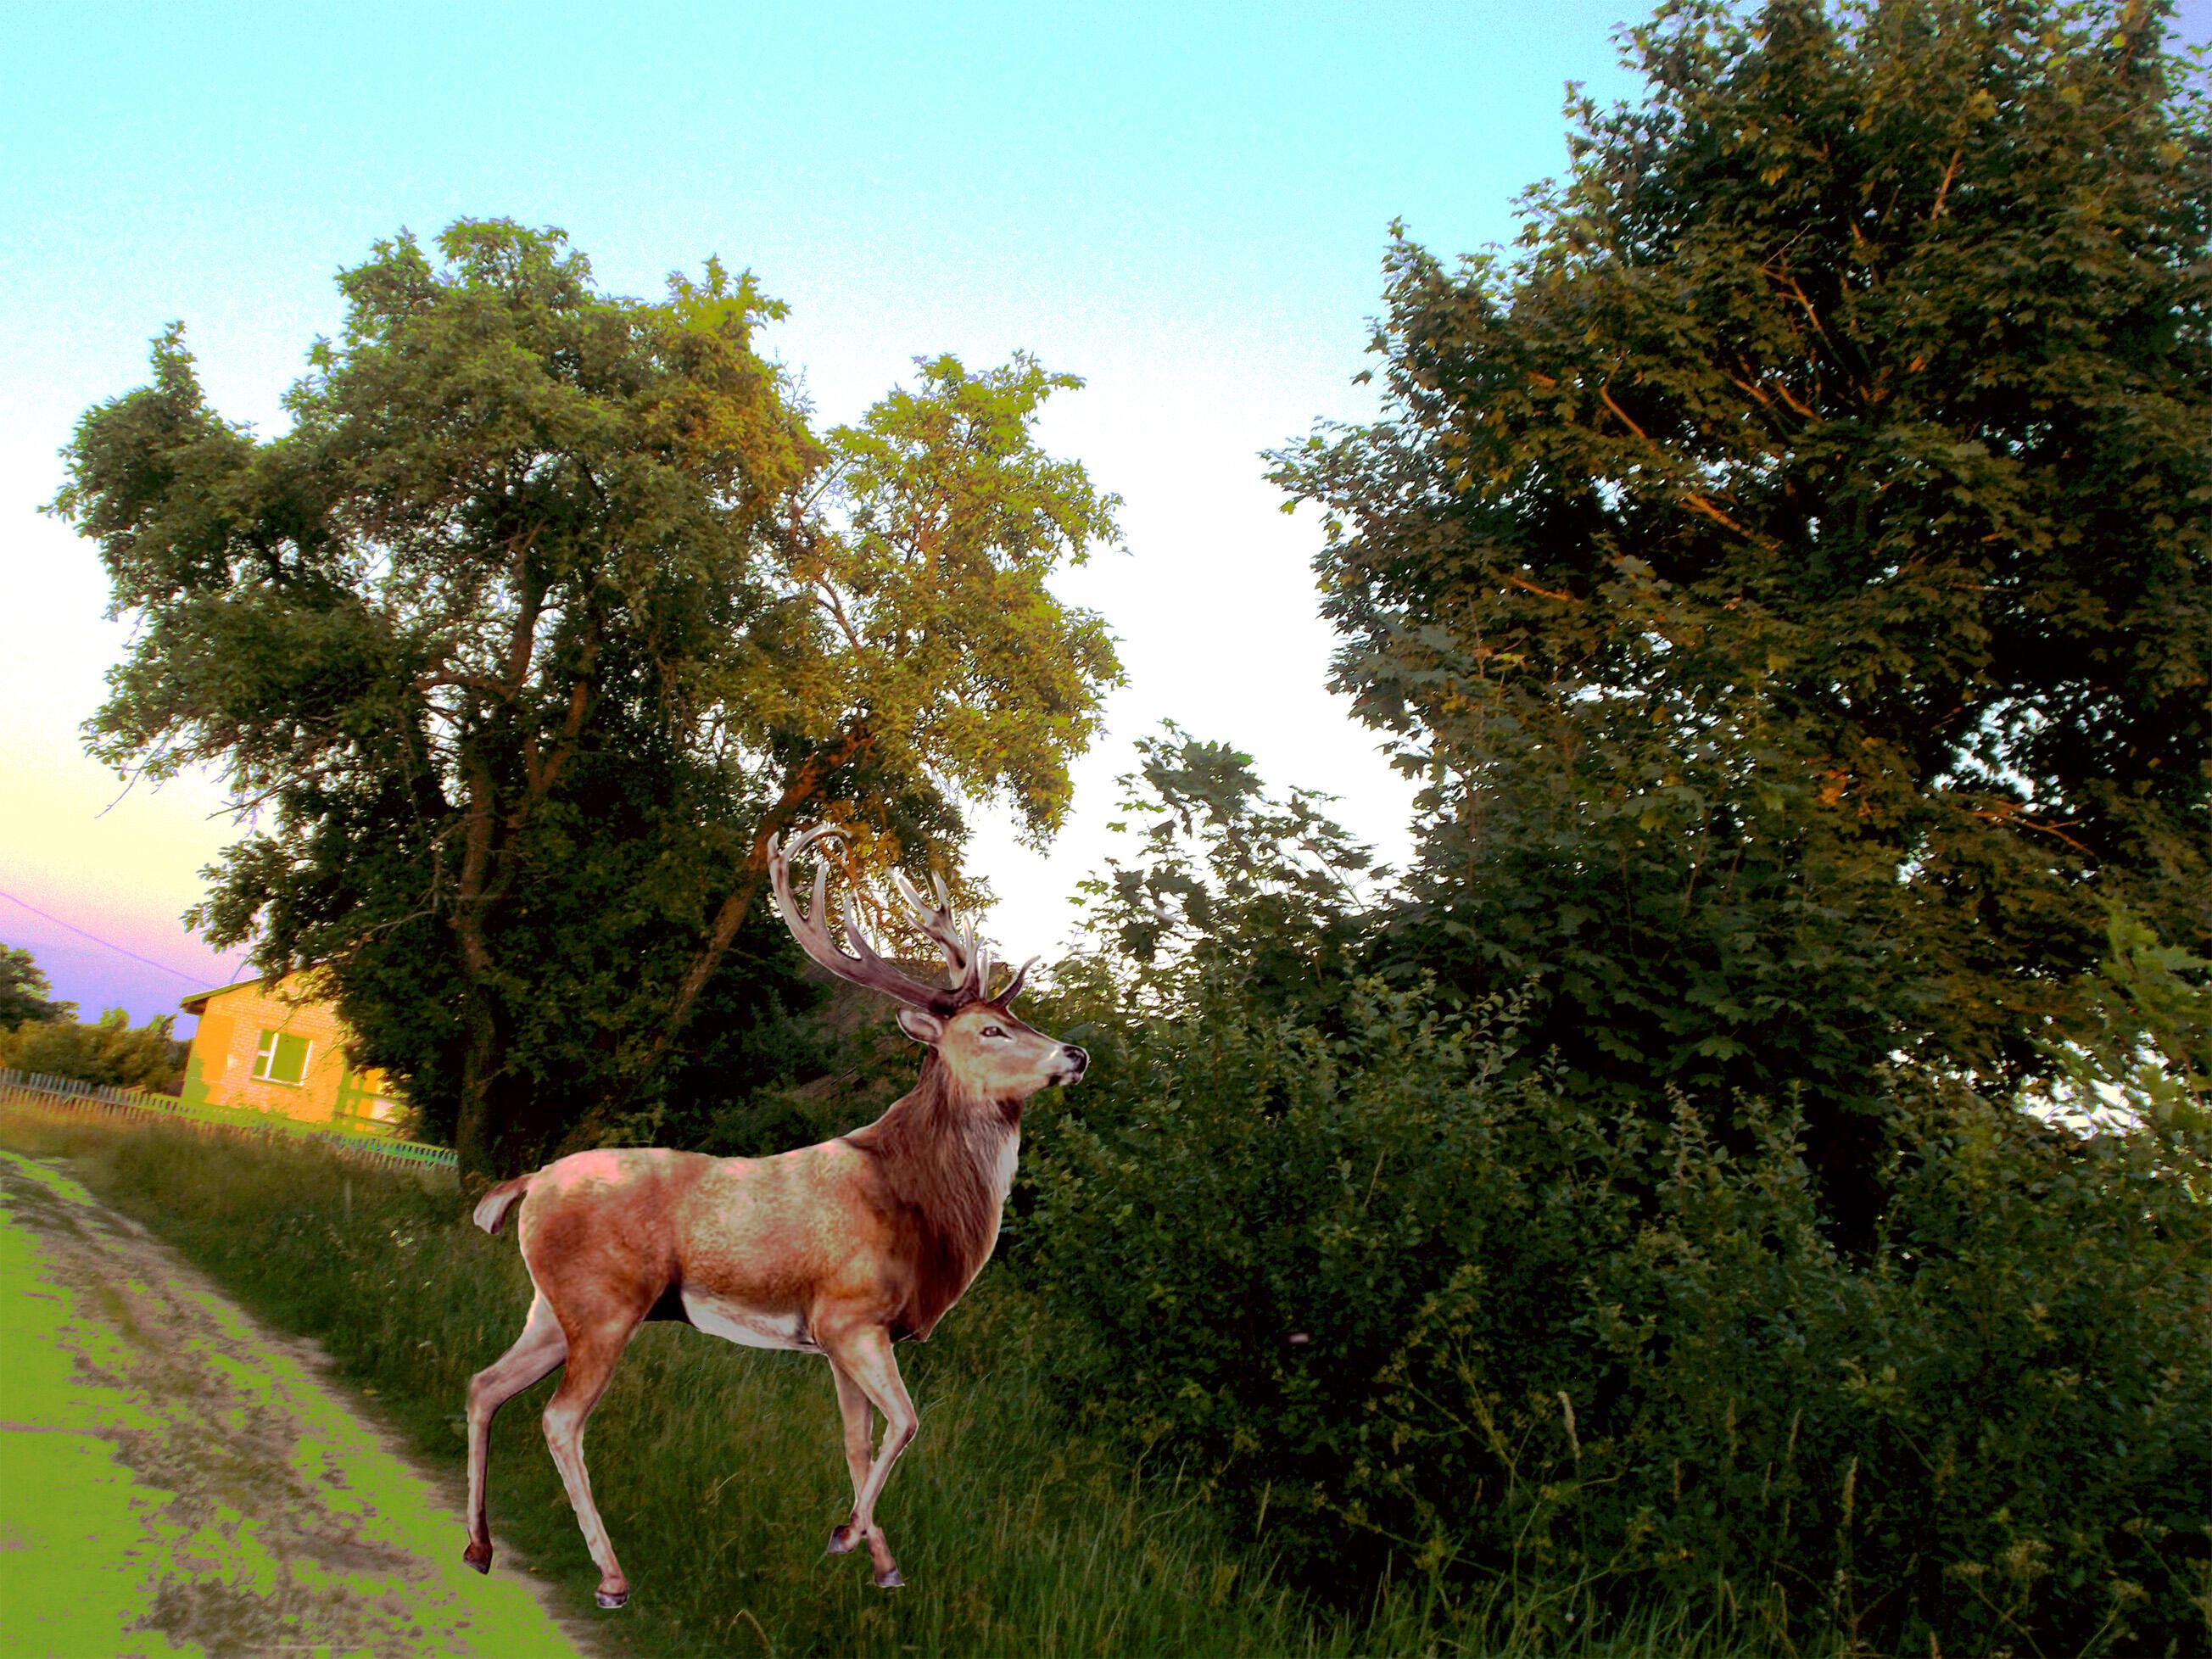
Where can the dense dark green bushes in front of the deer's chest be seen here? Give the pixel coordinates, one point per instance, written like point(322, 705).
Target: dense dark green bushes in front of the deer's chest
point(1432, 1319)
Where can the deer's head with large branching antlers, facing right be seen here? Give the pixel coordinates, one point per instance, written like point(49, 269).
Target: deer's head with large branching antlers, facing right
point(983, 1047)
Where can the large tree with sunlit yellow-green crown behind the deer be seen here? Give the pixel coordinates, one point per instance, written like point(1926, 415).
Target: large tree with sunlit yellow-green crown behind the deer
point(541, 620)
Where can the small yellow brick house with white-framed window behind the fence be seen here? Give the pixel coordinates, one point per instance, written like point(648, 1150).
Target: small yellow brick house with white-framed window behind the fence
point(282, 1050)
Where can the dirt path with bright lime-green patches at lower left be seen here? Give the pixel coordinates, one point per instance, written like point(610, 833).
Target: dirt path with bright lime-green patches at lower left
point(178, 1481)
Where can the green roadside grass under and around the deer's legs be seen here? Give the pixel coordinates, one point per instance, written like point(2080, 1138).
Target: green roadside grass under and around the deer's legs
point(720, 1470)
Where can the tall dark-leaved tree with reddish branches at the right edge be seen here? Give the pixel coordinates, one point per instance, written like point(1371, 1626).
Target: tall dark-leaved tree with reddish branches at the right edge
point(1793, 572)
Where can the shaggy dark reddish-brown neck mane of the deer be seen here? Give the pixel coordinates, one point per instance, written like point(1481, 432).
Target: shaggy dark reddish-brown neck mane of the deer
point(946, 1162)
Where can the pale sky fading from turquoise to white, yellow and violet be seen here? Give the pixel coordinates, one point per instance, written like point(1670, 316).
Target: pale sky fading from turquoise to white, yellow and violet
point(1182, 205)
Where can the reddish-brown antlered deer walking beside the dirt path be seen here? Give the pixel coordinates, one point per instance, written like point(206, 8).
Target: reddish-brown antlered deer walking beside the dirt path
point(839, 1249)
